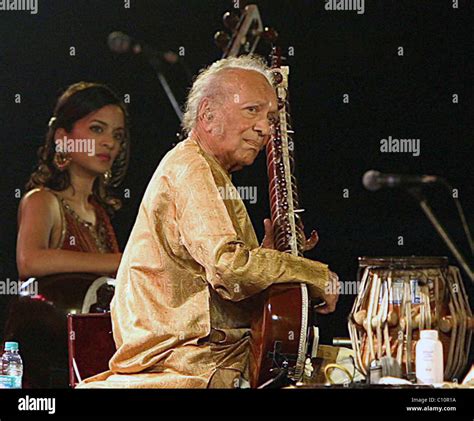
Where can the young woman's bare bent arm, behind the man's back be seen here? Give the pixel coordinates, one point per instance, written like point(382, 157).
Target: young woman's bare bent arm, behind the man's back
point(39, 213)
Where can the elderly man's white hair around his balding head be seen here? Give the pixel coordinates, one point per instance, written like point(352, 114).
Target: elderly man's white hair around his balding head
point(204, 85)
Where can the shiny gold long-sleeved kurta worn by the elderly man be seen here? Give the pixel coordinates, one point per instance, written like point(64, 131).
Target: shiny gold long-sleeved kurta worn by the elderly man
point(188, 280)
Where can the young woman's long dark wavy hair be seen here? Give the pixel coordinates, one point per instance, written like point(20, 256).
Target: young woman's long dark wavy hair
point(79, 100)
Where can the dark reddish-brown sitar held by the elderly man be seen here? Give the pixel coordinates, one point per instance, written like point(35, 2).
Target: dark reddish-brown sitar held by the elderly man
point(282, 331)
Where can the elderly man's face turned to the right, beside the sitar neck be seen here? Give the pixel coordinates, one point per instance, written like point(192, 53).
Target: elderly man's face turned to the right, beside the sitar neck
point(242, 124)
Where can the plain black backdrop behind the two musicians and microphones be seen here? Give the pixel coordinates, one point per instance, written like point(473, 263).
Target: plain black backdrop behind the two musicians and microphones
point(335, 53)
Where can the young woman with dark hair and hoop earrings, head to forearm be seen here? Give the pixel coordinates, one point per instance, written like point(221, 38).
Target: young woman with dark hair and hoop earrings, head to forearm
point(63, 218)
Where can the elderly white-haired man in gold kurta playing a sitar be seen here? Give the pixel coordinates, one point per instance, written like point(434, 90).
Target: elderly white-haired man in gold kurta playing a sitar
point(192, 270)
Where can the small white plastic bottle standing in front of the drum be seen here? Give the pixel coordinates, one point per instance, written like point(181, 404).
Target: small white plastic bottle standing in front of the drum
point(429, 358)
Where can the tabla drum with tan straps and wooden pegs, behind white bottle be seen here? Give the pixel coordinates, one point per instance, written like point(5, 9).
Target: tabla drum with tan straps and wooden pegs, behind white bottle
point(398, 297)
